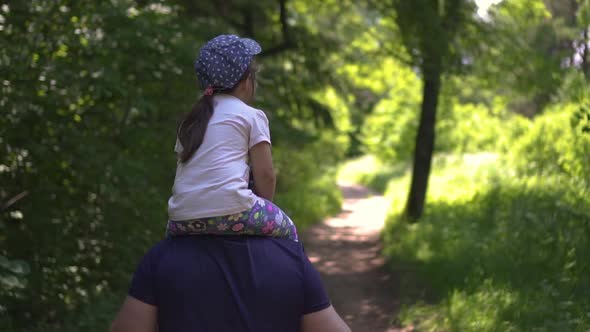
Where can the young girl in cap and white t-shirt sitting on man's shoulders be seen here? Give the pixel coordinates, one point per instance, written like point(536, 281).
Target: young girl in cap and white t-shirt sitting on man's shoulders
point(216, 142)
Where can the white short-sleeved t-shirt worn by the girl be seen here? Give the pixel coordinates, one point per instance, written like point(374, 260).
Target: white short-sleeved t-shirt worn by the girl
point(214, 182)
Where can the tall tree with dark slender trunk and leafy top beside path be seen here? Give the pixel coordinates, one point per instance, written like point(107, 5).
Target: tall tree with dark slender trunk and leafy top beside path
point(428, 30)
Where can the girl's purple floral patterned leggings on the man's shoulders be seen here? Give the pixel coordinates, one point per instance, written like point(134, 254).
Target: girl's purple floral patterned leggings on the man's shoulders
point(264, 218)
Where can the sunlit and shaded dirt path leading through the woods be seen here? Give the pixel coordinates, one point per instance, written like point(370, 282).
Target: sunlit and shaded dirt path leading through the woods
point(345, 249)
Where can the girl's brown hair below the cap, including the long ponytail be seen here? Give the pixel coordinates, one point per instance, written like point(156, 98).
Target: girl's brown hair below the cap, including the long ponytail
point(191, 130)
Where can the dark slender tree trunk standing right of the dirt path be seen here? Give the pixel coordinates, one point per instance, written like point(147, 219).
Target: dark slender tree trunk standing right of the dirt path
point(424, 142)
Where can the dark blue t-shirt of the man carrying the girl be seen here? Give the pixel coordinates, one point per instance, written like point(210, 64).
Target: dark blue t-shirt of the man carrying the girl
point(208, 283)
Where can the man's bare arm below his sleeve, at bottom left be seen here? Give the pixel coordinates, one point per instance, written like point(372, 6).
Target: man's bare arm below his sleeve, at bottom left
point(136, 316)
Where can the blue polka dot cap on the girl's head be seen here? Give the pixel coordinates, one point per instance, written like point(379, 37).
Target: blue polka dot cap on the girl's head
point(224, 59)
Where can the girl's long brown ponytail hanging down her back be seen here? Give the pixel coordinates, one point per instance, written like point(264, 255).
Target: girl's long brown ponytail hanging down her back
point(191, 130)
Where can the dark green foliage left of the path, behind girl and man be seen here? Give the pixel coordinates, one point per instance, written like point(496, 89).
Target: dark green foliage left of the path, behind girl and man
point(91, 94)
